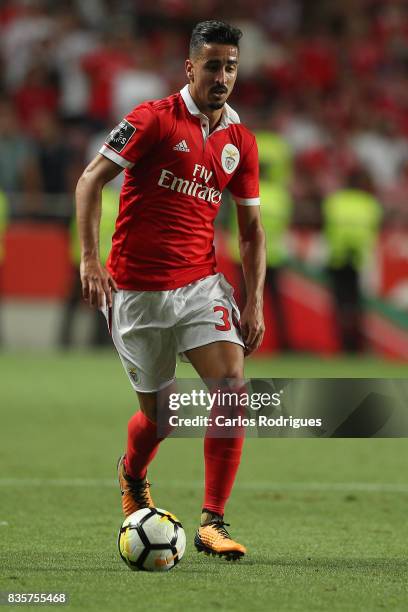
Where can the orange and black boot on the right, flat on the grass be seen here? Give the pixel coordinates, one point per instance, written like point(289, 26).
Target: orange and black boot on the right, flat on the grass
point(214, 539)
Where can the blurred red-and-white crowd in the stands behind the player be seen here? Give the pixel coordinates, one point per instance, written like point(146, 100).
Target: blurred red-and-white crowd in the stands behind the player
point(329, 78)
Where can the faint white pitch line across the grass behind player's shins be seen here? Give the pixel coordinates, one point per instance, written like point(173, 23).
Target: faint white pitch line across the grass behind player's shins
point(366, 487)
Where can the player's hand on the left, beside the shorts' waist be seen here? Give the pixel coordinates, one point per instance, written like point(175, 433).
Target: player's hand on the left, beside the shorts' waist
point(97, 284)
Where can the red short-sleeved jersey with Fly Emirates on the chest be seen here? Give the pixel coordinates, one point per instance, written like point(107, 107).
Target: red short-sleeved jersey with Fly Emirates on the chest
point(175, 174)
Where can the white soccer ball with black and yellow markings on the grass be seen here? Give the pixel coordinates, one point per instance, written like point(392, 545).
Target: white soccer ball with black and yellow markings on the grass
point(152, 540)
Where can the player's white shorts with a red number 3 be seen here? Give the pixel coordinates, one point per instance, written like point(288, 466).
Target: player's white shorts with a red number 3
point(149, 328)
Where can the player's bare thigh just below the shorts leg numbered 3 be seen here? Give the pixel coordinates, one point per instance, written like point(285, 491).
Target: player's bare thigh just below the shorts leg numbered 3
point(218, 361)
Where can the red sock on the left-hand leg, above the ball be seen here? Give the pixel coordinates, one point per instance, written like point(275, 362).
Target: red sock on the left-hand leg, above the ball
point(142, 445)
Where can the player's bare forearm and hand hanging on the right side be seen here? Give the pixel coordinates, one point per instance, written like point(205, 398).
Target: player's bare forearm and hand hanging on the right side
point(253, 258)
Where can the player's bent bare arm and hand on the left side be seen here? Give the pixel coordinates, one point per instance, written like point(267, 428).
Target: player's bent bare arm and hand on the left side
point(97, 283)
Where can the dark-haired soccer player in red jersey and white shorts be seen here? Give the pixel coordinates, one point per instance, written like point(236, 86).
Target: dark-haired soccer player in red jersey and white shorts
point(160, 287)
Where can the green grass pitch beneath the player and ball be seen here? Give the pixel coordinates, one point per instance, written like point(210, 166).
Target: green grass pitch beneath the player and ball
point(324, 520)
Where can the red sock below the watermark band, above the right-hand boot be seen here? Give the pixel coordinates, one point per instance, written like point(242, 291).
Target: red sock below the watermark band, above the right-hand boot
point(222, 458)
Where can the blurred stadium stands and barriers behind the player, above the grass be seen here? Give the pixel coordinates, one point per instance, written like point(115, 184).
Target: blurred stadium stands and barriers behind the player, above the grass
point(323, 84)
